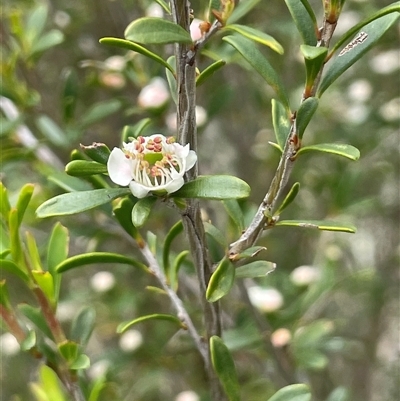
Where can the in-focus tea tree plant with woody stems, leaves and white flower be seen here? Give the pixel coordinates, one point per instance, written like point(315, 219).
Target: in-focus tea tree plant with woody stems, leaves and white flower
point(152, 172)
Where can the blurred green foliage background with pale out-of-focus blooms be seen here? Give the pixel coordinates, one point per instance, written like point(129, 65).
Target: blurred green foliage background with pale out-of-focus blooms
point(340, 317)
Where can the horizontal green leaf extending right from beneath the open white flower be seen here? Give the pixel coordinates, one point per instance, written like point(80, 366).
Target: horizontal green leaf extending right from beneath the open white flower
point(214, 187)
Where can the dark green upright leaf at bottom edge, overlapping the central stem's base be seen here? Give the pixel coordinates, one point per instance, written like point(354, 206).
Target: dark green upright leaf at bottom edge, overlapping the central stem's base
point(224, 367)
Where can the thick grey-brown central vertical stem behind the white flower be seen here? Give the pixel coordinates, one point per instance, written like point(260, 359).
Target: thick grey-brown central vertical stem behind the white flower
point(193, 225)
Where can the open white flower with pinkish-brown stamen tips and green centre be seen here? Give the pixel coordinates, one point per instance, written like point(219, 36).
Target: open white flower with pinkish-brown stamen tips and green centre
point(153, 163)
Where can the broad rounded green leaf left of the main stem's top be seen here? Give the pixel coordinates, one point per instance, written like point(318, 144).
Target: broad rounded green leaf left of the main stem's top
point(150, 30)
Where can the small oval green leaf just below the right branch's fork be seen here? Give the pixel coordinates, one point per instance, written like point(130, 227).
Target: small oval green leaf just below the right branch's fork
point(221, 281)
